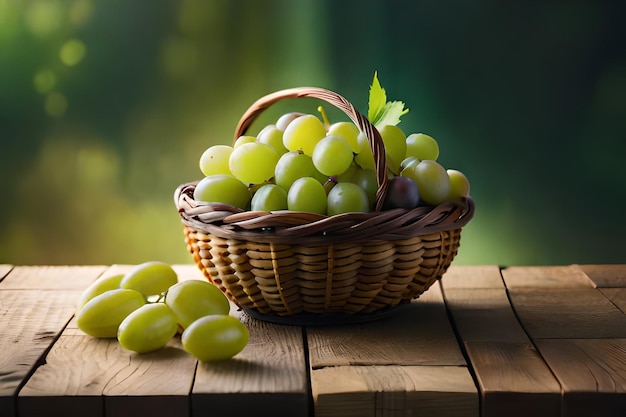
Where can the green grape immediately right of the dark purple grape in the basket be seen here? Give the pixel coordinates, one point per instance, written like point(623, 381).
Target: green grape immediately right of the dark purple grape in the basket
point(432, 181)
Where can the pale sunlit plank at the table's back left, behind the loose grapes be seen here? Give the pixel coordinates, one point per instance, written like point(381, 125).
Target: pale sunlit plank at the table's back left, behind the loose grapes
point(51, 277)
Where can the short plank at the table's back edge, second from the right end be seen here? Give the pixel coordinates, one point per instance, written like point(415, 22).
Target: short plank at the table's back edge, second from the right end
point(546, 277)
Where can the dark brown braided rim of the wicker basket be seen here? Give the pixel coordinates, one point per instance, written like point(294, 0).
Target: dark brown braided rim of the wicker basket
point(285, 227)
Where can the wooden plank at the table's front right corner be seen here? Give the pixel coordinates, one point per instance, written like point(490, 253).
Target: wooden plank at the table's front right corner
point(592, 373)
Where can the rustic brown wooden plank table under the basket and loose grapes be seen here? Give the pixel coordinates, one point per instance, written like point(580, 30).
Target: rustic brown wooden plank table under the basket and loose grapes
point(485, 341)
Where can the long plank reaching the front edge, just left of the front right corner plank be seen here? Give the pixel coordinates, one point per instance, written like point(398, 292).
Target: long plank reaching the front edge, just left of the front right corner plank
point(512, 377)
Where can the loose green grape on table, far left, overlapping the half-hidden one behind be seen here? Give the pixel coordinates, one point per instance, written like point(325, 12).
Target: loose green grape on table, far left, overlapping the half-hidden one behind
point(102, 315)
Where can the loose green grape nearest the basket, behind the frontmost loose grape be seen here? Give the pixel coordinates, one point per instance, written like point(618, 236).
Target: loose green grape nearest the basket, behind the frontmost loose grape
point(194, 298)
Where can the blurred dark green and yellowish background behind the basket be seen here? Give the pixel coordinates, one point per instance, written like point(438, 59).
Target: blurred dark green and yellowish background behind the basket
point(106, 107)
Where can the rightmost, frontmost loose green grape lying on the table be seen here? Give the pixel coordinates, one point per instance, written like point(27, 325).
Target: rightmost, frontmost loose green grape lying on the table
point(215, 338)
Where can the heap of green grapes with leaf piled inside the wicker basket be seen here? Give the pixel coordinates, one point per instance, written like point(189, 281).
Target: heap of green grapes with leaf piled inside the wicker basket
point(305, 163)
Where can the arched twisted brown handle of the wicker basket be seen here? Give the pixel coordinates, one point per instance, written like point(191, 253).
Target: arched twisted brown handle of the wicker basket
point(372, 134)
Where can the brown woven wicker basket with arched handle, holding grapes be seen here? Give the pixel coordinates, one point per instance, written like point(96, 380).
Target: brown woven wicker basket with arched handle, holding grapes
point(296, 267)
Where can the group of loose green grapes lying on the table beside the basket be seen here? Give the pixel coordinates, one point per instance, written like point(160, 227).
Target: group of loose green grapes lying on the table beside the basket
point(148, 306)
